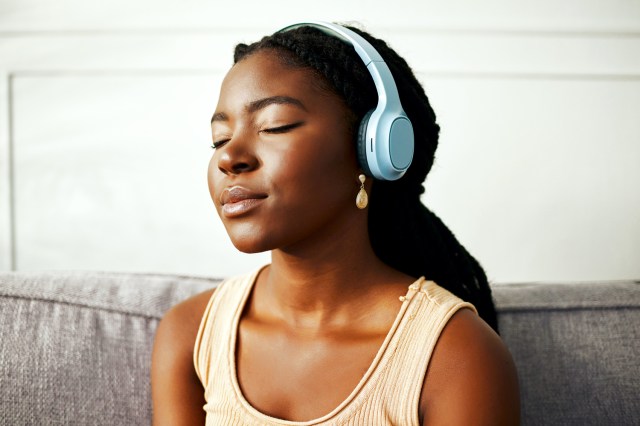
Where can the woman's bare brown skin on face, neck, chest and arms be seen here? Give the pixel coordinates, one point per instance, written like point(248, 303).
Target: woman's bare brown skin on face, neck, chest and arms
point(319, 313)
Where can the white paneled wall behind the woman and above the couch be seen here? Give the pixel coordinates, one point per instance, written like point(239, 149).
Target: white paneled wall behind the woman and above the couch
point(104, 134)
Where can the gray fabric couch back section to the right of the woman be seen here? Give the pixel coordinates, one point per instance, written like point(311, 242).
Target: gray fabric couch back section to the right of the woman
point(577, 351)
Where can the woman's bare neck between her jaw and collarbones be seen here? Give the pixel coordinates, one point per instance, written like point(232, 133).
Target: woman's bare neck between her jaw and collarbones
point(327, 284)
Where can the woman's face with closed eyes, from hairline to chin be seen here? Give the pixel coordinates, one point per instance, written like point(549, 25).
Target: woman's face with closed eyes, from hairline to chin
point(284, 171)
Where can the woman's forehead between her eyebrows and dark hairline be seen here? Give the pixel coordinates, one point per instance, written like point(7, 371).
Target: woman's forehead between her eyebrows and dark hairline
point(264, 74)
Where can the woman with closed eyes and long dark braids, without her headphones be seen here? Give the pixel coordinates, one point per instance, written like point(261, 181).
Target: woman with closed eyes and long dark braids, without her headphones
point(341, 327)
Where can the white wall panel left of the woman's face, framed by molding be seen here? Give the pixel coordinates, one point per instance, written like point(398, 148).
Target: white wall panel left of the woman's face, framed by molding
point(111, 173)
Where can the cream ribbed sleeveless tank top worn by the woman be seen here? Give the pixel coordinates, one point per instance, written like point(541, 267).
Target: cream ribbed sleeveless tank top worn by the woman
point(388, 393)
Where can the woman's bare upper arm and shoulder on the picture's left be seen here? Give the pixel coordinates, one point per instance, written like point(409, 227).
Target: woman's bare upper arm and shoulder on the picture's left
point(178, 395)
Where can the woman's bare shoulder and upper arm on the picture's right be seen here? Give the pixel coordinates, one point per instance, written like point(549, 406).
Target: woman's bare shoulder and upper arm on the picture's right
point(471, 377)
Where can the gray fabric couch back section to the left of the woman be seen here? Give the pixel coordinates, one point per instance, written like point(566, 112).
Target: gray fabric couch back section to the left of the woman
point(75, 348)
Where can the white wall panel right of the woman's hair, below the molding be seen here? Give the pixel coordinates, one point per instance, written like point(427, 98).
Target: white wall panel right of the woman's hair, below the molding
point(539, 178)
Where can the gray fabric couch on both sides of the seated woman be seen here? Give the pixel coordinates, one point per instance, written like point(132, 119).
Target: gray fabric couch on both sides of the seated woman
point(75, 347)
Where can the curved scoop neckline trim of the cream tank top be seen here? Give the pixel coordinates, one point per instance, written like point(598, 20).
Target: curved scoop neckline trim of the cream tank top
point(373, 367)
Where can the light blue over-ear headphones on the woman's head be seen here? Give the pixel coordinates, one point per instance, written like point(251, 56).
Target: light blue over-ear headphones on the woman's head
point(385, 136)
